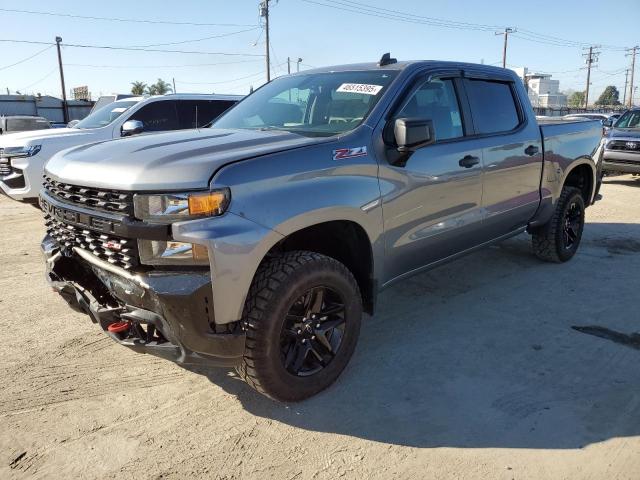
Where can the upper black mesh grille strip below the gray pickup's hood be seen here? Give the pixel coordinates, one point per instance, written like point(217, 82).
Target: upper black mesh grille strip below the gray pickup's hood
point(106, 200)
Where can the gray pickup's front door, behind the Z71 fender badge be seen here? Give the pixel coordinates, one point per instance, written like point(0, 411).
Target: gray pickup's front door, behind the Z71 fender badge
point(431, 201)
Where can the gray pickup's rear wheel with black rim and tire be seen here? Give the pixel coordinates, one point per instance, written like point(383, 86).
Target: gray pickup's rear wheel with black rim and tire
point(558, 240)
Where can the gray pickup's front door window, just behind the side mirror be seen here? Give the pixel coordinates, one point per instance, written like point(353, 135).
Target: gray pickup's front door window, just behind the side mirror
point(436, 100)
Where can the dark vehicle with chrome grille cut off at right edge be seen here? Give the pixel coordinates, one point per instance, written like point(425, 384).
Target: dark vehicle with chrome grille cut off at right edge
point(622, 144)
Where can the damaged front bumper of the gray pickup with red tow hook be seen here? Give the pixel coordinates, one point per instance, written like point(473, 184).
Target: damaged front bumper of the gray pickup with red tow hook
point(168, 314)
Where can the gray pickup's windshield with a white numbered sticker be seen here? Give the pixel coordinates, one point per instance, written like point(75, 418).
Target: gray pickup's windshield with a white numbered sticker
point(321, 104)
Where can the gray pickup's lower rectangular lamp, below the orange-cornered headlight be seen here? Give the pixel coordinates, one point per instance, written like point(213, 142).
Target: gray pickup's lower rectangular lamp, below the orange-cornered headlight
point(153, 252)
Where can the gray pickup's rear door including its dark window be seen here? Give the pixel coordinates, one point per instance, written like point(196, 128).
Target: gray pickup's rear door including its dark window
point(511, 151)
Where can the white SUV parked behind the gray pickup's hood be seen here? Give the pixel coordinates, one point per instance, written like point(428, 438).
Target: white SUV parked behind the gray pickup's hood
point(23, 155)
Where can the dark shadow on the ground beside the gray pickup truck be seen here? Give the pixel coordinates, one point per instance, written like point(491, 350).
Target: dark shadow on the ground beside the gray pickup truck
point(481, 353)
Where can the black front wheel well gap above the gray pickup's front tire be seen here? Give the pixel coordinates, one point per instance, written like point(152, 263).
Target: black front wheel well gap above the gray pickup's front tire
point(344, 241)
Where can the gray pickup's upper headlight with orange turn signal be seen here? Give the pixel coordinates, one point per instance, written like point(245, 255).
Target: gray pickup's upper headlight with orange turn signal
point(176, 207)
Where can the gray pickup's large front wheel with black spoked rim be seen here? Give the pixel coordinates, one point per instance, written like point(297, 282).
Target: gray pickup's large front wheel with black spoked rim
point(302, 320)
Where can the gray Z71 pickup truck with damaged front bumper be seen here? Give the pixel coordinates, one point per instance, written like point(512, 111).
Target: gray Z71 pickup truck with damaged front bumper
point(259, 242)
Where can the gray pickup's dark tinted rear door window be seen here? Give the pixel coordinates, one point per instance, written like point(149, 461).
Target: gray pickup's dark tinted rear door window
point(492, 105)
